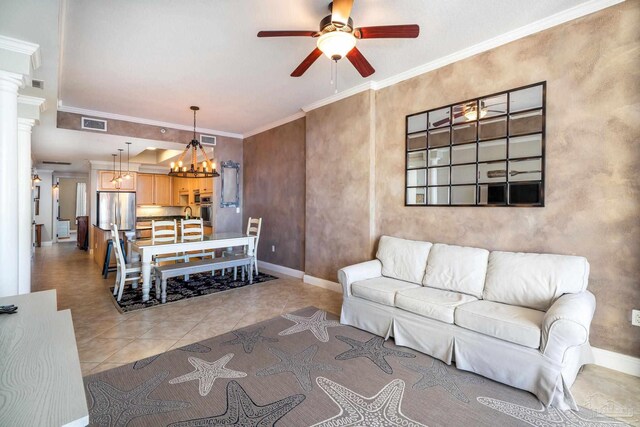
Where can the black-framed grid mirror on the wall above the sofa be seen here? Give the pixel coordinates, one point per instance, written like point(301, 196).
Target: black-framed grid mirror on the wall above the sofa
point(487, 151)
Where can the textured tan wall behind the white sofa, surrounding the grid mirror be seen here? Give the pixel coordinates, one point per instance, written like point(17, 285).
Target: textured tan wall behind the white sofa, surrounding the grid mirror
point(592, 198)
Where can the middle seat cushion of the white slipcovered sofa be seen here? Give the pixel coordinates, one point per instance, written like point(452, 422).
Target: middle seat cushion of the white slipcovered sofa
point(433, 303)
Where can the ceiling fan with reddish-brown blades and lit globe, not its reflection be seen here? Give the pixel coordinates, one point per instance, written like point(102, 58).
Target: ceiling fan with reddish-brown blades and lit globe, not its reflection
point(337, 38)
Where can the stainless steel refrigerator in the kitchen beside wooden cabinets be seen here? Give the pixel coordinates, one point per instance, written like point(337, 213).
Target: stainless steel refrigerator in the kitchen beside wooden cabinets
point(116, 207)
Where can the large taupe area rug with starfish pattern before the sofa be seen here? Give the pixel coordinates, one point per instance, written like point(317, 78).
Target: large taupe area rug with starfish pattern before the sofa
point(306, 369)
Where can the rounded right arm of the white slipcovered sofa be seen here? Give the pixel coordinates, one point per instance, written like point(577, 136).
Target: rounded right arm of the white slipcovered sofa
point(566, 324)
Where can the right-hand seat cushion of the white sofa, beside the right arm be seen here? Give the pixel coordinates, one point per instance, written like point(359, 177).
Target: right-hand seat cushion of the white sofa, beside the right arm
point(518, 325)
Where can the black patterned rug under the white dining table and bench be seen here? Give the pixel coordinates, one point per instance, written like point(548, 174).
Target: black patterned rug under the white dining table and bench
point(179, 289)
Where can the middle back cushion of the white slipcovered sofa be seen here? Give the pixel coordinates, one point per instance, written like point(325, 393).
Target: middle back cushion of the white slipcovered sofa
point(457, 268)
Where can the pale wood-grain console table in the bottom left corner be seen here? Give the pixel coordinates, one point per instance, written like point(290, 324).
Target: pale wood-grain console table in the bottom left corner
point(40, 378)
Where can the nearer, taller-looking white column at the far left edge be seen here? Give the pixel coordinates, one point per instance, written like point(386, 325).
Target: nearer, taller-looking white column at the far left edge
point(9, 85)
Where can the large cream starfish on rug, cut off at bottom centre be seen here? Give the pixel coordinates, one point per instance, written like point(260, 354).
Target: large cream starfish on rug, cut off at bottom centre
point(383, 409)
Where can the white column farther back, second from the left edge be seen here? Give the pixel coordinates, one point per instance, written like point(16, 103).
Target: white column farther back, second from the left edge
point(24, 204)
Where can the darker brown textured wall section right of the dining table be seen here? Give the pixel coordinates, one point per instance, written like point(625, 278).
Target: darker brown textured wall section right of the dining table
point(274, 190)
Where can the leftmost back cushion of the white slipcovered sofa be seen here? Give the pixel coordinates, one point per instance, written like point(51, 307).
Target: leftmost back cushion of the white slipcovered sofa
point(403, 259)
